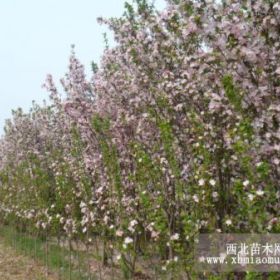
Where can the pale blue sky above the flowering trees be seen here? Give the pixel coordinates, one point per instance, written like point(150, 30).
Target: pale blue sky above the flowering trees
point(36, 36)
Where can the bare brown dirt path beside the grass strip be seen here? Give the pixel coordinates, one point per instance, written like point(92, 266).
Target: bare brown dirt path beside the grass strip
point(14, 266)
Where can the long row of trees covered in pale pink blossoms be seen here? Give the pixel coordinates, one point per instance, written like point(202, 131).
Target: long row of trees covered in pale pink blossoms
point(176, 133)
